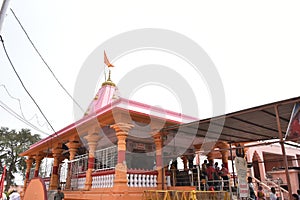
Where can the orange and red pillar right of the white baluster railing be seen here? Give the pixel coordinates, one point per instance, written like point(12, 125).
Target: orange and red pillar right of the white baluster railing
point(161, 183)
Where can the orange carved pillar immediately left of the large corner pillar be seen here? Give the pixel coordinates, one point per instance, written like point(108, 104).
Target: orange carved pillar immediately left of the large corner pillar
point(92, 139)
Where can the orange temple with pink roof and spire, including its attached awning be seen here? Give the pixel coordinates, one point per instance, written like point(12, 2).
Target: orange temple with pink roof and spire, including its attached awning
point(121, 148)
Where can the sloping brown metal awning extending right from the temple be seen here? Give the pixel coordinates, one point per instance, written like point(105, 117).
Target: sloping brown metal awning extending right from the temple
point(253, 124)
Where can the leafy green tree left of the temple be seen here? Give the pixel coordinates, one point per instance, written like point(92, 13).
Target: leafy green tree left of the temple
point(12, 143)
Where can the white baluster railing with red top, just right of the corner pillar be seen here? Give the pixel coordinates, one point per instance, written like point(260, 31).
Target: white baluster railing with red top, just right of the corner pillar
point(141, 178)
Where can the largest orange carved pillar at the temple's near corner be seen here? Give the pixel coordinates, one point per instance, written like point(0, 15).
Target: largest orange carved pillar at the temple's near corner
point(122, 129)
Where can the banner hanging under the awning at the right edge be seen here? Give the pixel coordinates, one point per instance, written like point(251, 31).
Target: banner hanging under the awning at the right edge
point(293, 130)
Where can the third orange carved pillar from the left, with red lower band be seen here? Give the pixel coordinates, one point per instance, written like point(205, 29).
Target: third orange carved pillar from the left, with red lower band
point(54, 176)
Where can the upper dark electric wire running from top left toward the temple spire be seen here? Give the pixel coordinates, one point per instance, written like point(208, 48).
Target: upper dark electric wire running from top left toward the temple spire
point(44, 61)
